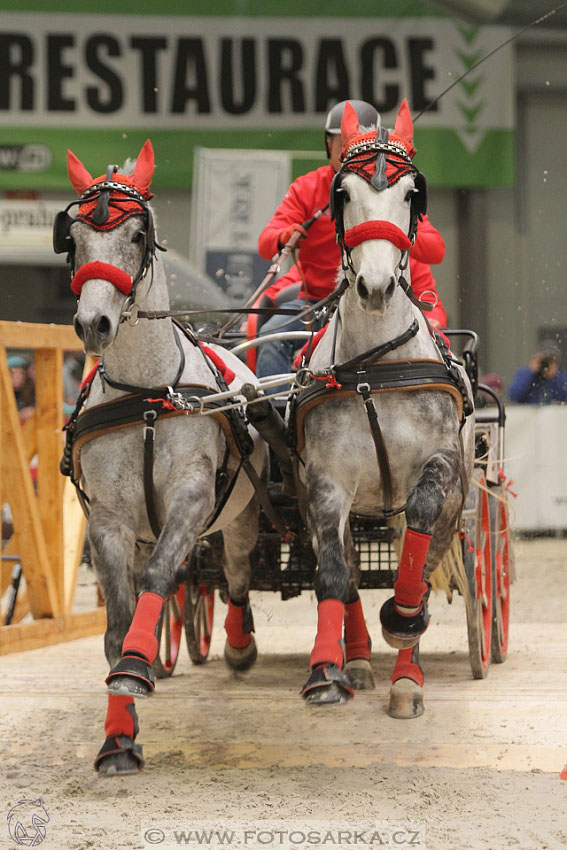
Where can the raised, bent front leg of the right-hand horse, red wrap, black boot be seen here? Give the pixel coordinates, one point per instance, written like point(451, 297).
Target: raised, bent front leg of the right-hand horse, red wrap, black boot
point(405, 617)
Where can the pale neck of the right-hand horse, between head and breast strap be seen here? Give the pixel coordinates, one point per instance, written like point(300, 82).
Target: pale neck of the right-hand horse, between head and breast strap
point(359, 331)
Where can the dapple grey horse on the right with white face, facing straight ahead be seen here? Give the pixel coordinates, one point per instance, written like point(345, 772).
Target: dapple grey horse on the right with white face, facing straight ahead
point(421, 441)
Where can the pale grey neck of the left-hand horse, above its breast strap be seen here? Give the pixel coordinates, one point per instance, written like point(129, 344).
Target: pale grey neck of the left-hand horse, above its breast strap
point(146, 354)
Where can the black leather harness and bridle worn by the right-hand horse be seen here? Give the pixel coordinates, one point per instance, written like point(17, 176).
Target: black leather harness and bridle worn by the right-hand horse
point(381, 160)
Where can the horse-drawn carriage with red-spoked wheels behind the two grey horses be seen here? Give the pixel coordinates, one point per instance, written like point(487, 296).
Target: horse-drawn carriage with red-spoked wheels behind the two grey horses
point(480, 565)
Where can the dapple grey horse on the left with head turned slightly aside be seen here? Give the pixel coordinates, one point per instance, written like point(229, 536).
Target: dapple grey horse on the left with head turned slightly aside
point(112, 241)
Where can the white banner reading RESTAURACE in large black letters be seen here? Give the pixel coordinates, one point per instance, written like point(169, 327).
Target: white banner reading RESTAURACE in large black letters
point(222, 72)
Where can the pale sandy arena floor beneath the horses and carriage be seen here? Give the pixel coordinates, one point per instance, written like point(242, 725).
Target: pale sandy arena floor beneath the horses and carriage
point(243, 753)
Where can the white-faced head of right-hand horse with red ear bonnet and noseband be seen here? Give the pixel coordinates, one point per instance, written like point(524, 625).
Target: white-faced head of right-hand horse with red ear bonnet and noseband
point(375, 200)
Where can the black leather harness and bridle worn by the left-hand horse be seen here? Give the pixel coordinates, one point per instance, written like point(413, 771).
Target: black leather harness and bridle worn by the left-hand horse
point(103, 206)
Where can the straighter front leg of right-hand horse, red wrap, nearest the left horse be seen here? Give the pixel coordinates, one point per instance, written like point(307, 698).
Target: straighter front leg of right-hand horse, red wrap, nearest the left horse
point(328, 511)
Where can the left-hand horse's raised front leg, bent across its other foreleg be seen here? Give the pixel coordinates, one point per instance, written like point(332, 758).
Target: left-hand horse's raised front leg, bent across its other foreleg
point(191, 503)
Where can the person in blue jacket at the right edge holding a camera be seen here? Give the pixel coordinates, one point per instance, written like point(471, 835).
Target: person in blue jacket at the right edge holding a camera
point(542, 382)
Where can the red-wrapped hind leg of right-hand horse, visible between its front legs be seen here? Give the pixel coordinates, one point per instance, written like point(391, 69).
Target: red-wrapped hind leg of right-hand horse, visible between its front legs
point(357, 639)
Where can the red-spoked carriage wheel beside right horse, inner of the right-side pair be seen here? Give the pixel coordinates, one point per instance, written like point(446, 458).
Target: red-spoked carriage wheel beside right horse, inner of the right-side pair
point(478, 568)
